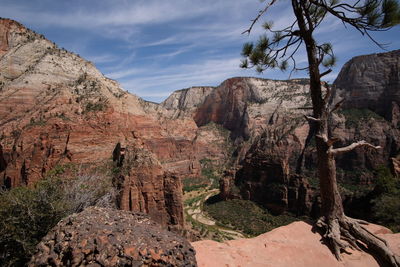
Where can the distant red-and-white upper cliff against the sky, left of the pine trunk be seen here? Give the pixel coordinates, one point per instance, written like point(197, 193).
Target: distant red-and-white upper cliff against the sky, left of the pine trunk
point(244, 105)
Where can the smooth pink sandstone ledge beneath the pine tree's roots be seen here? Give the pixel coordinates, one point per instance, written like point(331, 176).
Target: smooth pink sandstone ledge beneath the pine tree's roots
point(292, 245)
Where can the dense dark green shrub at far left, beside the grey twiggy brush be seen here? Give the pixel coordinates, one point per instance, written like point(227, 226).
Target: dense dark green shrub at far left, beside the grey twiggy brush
point(26, 215)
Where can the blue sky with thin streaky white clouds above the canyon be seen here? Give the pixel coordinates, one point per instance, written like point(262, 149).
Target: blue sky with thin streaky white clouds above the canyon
point(154, 47)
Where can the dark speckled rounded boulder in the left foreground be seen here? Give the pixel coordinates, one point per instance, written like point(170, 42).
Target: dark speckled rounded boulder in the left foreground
point(108, 237)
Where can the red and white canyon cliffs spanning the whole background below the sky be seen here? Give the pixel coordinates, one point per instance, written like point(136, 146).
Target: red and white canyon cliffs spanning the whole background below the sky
point(56, 108)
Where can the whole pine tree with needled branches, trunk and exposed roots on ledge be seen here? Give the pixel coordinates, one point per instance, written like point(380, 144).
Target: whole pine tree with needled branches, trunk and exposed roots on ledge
point(279, 51)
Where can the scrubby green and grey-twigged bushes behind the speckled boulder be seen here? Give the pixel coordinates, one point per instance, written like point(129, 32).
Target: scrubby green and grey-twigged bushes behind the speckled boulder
point(28, 213)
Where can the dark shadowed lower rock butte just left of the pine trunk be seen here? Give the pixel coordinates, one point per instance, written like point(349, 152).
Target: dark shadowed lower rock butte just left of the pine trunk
point(265, 178)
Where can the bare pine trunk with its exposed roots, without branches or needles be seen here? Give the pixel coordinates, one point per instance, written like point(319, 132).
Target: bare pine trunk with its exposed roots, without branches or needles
point(339, 230)
